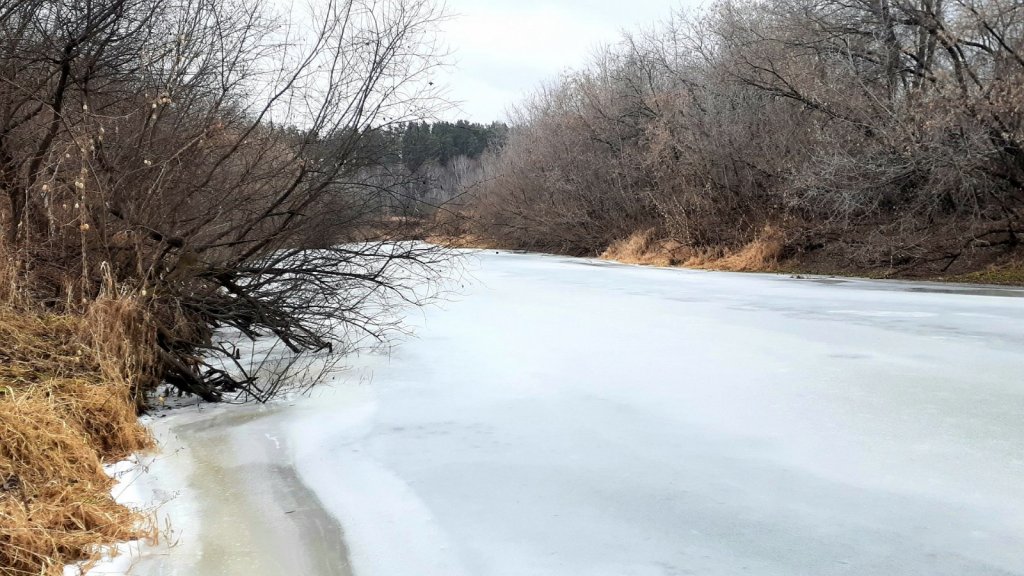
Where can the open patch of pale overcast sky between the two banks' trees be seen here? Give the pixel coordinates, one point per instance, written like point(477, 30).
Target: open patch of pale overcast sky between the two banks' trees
point(502, 50)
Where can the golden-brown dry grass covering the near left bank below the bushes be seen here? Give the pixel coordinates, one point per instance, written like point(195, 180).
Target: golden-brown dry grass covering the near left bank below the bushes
point(67, 407)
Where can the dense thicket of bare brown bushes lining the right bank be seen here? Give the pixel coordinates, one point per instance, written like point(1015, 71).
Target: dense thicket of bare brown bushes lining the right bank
point(873, 135)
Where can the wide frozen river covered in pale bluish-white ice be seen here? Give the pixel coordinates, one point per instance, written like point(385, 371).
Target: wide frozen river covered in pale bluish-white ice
point(581, 419)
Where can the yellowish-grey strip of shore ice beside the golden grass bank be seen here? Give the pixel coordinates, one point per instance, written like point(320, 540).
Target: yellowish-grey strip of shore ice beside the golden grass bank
point(225, 492)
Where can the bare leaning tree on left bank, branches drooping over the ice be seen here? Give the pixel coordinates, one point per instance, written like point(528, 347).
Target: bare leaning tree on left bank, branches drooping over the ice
point(223, 161)
